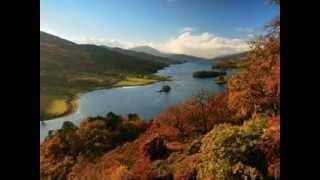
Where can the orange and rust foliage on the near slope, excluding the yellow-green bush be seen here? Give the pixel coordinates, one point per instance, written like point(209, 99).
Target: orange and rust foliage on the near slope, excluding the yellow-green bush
point(159, 152)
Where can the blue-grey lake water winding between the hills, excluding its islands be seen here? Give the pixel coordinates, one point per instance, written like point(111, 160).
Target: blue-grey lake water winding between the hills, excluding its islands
point(144, 100)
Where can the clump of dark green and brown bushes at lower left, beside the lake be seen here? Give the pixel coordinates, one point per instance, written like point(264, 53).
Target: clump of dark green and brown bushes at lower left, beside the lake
point(93, 138)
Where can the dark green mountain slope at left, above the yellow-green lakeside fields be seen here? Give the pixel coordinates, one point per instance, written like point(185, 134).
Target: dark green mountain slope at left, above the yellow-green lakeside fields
point(59, 53)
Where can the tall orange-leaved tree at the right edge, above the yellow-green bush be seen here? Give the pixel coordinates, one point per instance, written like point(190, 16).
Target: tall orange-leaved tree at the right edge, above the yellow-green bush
point(258, 88)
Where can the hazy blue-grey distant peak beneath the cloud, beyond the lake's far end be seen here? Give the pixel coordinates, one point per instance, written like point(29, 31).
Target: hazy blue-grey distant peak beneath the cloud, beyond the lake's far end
point(155, 52)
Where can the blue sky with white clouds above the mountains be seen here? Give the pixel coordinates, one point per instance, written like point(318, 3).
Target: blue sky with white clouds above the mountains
point(205, 28)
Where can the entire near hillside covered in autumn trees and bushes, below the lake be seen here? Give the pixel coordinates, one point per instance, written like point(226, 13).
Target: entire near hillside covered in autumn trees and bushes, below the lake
point(233, 135)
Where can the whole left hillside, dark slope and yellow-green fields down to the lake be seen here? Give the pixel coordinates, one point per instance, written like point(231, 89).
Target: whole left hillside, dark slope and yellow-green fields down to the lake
point(67, 68)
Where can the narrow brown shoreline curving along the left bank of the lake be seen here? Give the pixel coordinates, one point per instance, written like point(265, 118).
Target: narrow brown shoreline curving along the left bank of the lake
point(73, 103)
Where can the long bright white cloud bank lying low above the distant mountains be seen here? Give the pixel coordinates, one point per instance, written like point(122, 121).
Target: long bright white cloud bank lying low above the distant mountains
point(203, 45)
